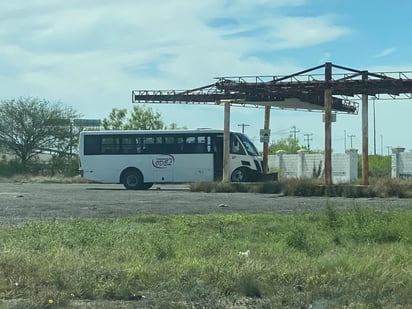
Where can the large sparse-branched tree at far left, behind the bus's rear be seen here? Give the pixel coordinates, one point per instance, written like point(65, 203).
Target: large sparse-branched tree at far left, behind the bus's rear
point(29, 125)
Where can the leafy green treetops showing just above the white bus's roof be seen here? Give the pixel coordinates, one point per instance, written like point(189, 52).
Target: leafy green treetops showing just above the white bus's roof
point(141, 118)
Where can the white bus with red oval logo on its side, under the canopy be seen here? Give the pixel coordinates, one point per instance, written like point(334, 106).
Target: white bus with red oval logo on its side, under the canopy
point(137, 159)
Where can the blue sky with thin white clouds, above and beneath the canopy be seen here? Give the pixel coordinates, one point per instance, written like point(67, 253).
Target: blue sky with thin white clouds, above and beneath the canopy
point(91, 54)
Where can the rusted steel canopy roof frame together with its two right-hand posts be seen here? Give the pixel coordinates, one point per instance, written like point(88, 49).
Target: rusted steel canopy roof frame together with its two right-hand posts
point(317, 92)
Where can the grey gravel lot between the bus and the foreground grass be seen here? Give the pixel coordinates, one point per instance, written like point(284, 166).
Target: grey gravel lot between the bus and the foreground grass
point(21, 203)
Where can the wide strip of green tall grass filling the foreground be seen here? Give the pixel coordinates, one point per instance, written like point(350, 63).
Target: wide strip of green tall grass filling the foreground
point(359, 258)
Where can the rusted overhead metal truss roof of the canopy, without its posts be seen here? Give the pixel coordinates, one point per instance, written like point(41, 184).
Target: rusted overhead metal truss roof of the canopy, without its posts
point(299, 91)
